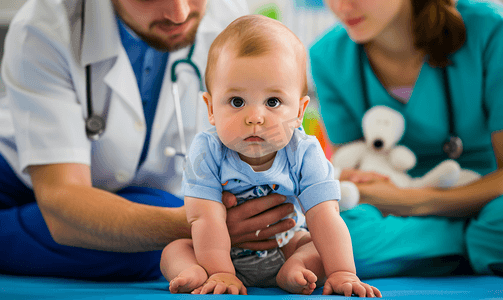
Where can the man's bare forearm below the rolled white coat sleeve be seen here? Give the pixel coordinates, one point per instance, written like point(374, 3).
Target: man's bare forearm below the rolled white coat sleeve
point(82, 216)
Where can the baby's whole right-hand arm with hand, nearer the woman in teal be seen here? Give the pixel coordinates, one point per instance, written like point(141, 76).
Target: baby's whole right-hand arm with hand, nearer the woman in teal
point(332, 240)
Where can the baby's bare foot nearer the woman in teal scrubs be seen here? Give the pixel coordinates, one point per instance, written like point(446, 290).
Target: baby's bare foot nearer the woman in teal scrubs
point(295, 278)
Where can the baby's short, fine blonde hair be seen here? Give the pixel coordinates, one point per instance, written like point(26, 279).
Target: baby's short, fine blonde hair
point(255, 35)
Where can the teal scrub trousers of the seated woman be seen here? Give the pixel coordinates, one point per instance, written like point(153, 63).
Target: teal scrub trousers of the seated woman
point(426, 246)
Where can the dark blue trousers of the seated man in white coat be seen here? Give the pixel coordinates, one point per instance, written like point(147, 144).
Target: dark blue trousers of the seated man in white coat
point(27, 247)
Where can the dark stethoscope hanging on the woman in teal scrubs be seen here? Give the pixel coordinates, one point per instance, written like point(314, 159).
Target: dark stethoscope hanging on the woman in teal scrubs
point(453, 146)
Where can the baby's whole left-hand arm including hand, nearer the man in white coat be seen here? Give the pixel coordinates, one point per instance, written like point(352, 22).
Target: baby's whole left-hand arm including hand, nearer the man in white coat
point(212, 246)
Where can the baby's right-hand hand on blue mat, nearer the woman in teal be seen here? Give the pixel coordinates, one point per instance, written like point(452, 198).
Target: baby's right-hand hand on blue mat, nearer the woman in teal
point(346, 283)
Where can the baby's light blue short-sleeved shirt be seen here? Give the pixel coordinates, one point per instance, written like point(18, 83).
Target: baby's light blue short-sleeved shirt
point(300, 171)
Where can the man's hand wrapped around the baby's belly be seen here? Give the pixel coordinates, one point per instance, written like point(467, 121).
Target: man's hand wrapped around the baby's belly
point(245, 220)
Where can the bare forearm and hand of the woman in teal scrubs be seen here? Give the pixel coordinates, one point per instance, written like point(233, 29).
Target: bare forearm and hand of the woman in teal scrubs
point(463, 201)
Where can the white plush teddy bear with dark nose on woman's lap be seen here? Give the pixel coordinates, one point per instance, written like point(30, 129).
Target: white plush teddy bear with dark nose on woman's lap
point(383, 128)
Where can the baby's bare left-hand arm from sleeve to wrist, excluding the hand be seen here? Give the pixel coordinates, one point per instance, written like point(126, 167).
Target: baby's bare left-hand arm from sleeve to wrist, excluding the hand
point(212, 243)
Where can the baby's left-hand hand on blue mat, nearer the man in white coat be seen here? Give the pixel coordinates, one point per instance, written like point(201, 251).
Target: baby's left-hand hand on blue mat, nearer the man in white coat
point(222, 283)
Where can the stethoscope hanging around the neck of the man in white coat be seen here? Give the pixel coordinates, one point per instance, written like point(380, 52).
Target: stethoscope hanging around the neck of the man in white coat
point(95, 124)
